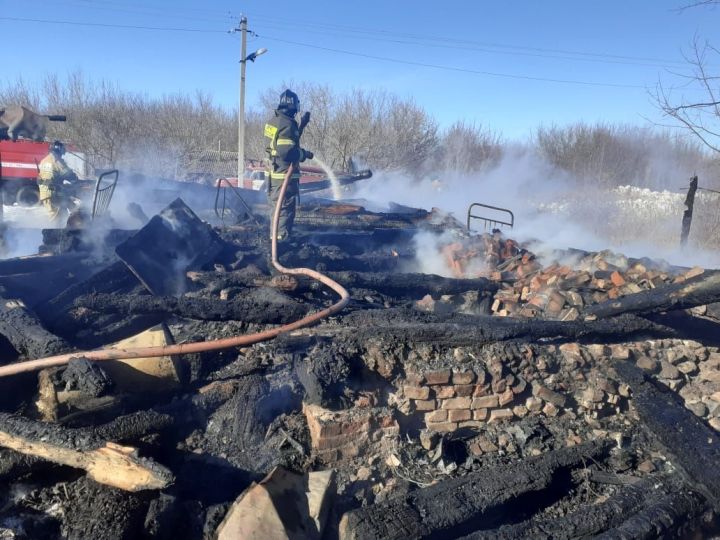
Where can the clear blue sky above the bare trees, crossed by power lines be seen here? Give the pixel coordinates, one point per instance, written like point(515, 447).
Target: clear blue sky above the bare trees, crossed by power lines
point(631, 44)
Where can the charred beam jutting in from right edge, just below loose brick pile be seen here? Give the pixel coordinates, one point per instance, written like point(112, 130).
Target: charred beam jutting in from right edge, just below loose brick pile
point(704, 289)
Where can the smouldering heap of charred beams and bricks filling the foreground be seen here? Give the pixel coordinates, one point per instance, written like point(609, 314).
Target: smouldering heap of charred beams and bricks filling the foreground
point(525, 396)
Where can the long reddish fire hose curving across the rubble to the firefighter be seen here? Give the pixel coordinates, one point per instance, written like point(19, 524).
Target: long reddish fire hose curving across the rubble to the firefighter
point(205, 346)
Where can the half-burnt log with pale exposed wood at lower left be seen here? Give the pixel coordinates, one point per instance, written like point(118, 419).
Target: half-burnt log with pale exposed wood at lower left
point(105, 462)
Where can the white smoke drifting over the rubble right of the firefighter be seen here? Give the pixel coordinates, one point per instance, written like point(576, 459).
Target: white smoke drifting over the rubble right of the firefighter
point(550, 208)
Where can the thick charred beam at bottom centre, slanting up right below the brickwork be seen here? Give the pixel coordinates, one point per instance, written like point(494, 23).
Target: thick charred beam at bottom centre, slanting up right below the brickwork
point(461, 505)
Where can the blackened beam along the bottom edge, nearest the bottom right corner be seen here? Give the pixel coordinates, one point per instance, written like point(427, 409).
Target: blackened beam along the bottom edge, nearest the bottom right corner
point(649, 496)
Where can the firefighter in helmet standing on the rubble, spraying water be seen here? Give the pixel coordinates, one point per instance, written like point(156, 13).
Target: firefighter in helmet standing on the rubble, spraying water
point(282, 134)
